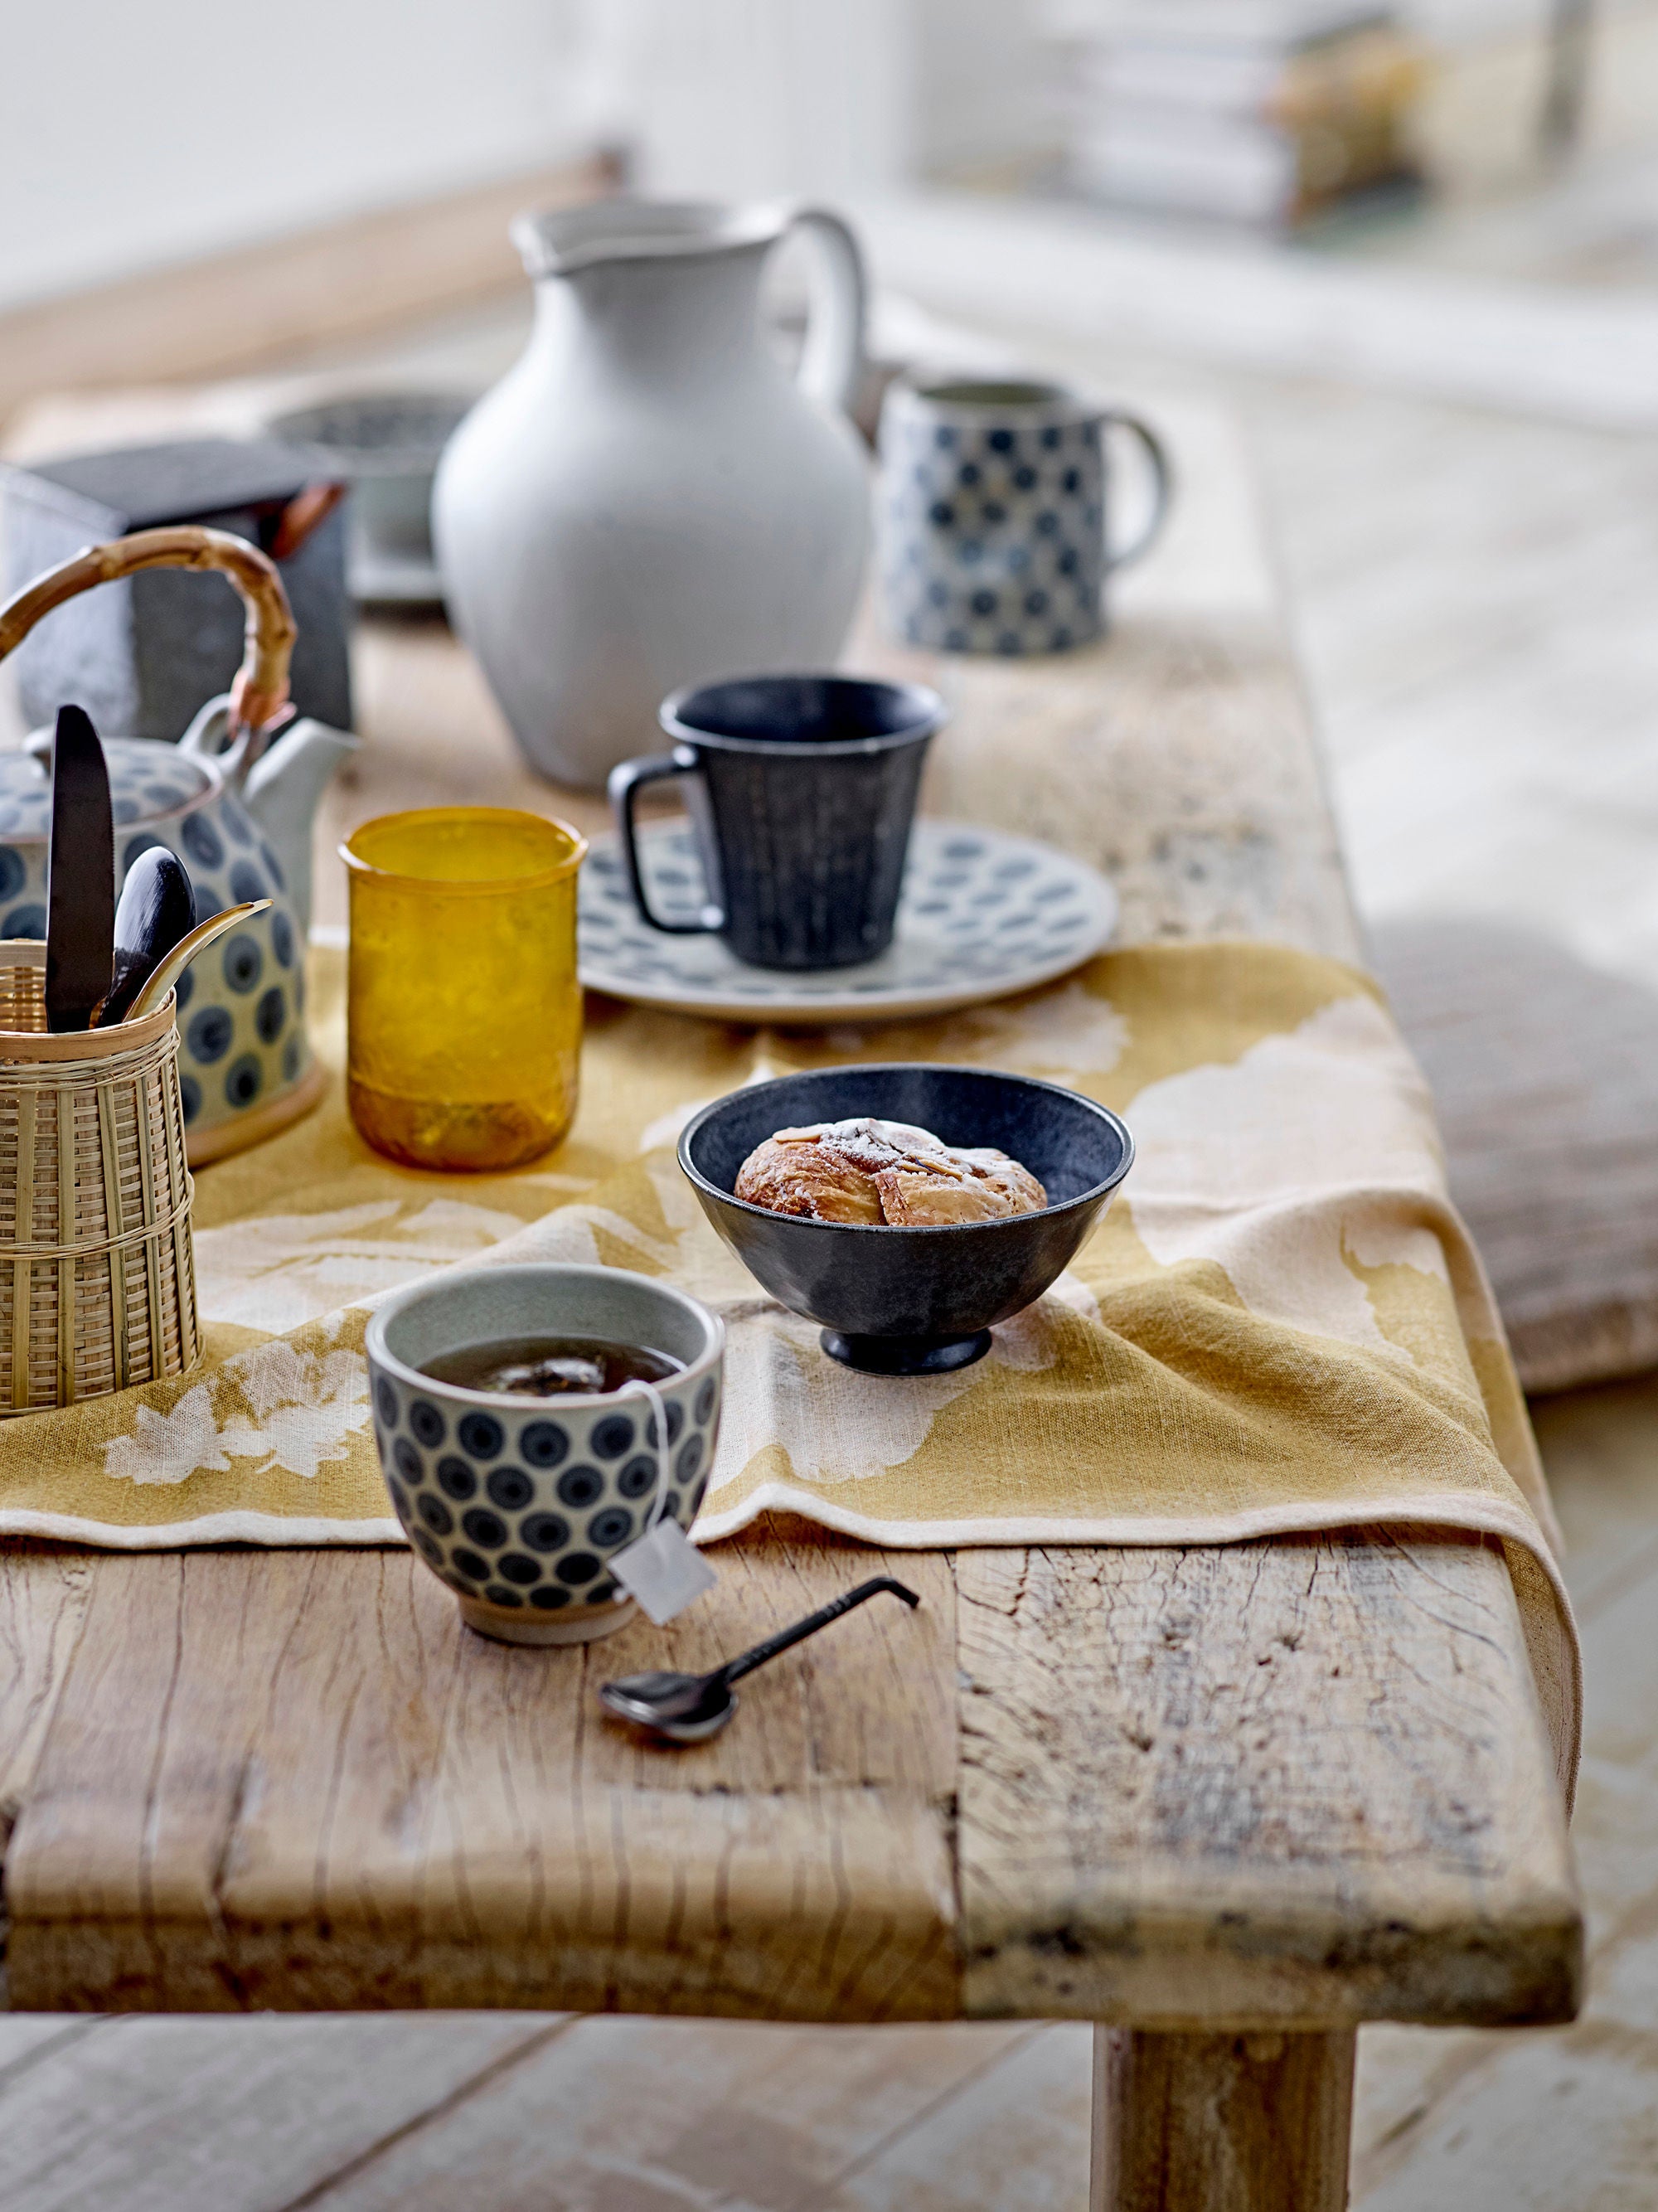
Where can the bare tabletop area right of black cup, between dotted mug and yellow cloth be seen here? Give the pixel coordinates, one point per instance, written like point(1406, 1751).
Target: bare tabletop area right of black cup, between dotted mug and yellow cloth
point(1177, 753)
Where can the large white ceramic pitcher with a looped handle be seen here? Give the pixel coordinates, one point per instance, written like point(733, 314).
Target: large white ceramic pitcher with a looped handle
point(647, 499)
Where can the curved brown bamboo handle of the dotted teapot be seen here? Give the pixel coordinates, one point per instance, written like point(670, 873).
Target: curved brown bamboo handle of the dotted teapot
point(262, 682)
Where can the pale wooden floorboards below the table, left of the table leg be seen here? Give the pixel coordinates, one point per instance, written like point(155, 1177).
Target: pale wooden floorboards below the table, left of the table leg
point(501, 2111)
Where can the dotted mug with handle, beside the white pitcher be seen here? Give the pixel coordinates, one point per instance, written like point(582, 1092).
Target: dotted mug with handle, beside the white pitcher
point(994, 514)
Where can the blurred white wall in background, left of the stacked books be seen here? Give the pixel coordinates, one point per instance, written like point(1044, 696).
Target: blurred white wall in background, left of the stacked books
point(149, 132)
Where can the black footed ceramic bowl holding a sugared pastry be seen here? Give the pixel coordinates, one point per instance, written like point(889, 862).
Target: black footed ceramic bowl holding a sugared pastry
point(912, 1302)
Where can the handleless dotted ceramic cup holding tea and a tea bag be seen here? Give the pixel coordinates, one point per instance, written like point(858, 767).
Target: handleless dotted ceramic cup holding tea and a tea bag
point(518, 1505)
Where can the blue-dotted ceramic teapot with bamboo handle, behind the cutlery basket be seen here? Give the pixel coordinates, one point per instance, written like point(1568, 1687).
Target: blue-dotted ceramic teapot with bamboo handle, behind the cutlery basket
point(238, 817)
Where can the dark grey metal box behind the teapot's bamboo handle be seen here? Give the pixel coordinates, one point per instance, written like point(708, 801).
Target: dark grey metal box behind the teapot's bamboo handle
point(151, 649)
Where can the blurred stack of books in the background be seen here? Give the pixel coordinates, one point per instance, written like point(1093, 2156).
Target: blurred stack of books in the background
point(1259, 112)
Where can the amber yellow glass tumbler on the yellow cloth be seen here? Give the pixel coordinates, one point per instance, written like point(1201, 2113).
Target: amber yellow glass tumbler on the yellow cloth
point(463, 1001)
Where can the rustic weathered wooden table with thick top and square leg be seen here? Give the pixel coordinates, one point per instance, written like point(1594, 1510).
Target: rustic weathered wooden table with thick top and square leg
point(1224, 1802)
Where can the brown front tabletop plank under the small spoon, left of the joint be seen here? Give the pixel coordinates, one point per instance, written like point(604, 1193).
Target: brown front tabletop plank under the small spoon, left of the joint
point(297, 1782)
